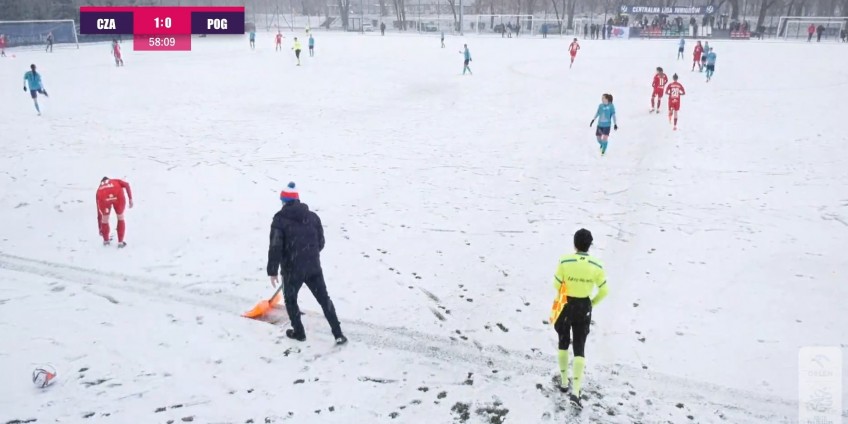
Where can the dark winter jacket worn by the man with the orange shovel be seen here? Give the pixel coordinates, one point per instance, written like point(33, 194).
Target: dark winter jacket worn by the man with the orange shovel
point(297, 239)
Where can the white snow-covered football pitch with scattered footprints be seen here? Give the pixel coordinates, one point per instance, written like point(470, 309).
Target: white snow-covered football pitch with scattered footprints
point(446, 201)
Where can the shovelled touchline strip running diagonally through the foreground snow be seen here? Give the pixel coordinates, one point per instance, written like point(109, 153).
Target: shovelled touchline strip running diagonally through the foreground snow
point(481, 358)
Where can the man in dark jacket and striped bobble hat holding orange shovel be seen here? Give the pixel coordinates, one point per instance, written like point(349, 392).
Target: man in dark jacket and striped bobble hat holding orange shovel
point(297, 239)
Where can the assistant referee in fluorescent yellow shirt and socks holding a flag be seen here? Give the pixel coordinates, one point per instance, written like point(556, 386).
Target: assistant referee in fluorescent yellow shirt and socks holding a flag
point(576, 280)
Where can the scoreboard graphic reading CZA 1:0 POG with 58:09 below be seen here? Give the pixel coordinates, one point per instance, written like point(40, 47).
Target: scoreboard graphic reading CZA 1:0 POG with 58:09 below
point(161, 28)
